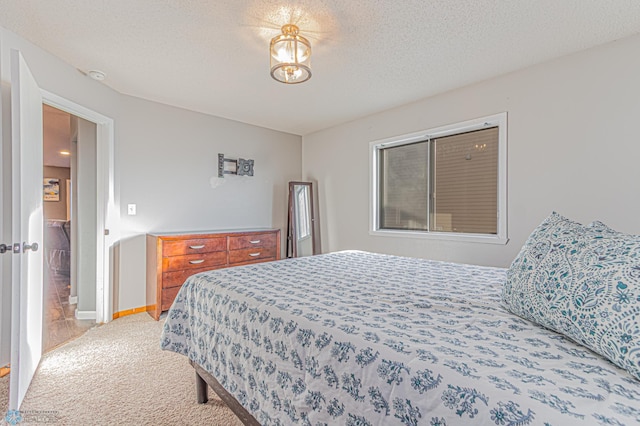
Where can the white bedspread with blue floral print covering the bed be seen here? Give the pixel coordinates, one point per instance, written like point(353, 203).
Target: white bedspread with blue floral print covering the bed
point(356, 338)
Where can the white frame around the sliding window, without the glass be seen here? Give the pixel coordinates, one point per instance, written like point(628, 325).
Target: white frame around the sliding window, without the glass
point(499, 120)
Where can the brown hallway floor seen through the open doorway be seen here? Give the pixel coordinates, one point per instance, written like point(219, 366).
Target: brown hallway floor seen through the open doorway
point(60, 323)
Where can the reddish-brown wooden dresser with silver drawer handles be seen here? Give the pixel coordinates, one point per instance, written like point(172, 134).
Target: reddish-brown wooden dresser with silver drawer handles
point(172, 257)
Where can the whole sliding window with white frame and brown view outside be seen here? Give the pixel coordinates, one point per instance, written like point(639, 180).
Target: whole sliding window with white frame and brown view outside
point(447, 183)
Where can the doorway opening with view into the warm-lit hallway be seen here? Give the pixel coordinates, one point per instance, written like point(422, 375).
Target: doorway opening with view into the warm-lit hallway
point(68, 154)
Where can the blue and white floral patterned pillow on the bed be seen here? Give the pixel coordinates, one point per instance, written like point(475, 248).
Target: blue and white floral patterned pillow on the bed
point(583, 282)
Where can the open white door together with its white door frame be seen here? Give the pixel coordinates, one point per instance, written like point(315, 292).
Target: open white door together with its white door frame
point(26, 304)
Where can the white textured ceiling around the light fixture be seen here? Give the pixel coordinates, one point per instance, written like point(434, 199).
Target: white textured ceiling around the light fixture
point(368, 55)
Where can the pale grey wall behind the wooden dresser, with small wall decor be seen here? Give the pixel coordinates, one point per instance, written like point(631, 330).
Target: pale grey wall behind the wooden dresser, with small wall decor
point(166, 158)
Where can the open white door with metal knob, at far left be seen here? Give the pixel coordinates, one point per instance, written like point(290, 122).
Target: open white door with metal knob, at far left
point(27, 224)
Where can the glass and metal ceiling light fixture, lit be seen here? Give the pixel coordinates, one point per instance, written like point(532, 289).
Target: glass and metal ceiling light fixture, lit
point(290, 56)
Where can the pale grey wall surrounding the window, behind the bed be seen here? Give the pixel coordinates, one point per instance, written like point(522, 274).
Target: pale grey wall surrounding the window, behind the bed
point(572, 147)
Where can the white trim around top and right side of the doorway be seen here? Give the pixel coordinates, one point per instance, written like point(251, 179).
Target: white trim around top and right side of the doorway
point(107, 220)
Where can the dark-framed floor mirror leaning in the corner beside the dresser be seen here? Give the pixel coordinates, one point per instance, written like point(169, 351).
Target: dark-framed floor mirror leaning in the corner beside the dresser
point(301, 234)
